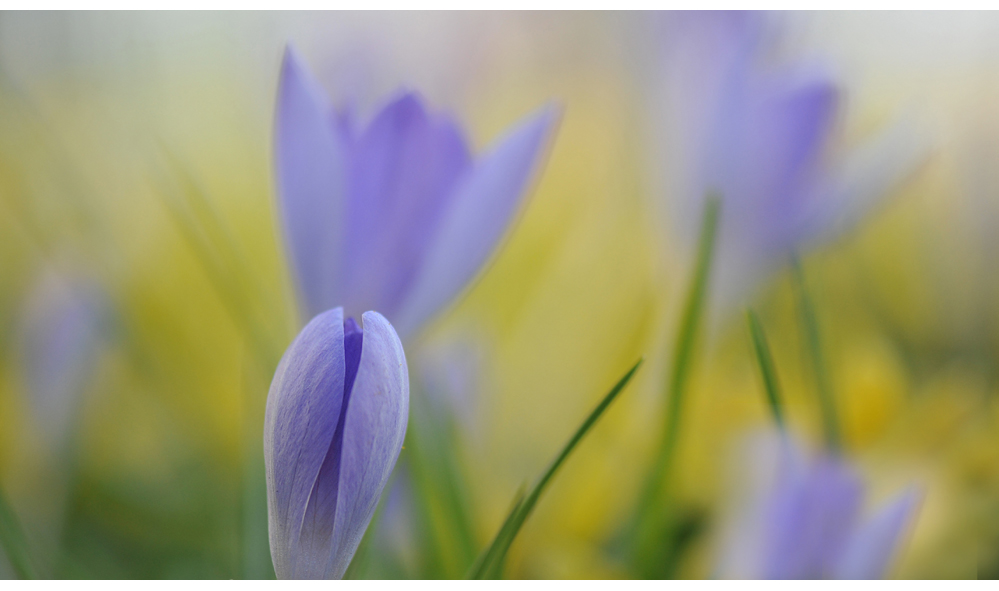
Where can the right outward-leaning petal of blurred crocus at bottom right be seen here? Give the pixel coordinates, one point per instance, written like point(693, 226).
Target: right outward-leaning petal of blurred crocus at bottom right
point(870, 549)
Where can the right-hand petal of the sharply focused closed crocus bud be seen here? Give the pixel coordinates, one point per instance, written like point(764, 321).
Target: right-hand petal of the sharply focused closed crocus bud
point(374, 429)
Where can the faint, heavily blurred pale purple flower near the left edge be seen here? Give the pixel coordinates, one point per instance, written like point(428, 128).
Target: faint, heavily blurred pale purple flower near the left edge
point(63, 328)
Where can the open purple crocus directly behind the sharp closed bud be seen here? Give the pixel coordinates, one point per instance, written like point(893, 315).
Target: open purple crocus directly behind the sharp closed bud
point(396, 216)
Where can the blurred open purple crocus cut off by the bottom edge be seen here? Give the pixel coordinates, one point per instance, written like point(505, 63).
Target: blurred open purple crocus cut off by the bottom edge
point(800, 518)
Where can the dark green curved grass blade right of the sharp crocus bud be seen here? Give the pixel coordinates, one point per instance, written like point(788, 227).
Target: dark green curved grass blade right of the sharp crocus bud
point(489, 565)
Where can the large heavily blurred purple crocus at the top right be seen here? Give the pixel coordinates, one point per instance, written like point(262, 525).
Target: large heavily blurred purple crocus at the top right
point(761, 135)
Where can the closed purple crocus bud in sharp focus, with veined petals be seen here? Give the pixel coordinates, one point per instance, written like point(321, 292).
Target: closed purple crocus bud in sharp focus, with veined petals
point(333, 429)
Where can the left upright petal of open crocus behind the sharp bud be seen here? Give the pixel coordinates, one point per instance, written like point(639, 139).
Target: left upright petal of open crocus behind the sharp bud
point(311, 173)
